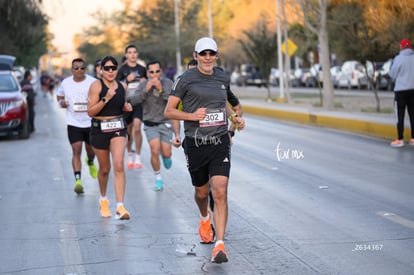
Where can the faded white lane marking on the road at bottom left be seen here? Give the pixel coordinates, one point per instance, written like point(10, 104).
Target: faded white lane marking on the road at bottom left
point(70, 249)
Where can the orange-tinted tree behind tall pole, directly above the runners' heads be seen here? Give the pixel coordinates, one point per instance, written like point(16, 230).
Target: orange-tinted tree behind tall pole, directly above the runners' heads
point(153, 29)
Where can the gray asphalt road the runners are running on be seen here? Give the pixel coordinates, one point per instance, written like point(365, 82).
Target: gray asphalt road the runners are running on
point(302, 200)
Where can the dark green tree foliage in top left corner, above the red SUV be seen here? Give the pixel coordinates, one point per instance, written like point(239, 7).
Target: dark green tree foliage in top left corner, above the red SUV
point(23, 29)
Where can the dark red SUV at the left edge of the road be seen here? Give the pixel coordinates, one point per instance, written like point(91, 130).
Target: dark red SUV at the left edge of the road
point(13, 106)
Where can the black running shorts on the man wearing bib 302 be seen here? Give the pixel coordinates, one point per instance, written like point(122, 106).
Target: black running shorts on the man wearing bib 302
point(207, 158)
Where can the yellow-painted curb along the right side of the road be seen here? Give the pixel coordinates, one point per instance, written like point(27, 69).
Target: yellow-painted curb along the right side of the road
point(376, 129)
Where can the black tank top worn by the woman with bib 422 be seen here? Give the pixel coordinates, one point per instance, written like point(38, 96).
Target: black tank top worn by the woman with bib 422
point(114, 106)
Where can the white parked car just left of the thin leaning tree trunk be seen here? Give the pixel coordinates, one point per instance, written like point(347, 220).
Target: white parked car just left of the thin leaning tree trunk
point(353, 74)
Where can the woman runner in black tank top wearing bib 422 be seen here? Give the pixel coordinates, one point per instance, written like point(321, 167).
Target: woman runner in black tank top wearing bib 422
point(107, 101)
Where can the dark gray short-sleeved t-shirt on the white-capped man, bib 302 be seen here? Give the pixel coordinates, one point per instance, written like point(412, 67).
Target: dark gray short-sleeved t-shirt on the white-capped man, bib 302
point(197, 90)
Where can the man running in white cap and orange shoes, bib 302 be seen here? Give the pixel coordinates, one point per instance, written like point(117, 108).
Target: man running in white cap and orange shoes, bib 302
point(203, 92)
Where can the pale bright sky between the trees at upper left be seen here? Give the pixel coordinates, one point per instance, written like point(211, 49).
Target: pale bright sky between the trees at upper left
point(68, 17)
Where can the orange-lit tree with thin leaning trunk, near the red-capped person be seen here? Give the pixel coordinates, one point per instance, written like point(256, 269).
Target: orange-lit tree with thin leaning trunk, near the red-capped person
point(370, 31)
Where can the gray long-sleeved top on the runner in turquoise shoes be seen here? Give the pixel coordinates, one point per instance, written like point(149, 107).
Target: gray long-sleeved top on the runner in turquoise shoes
point(153, 102)
